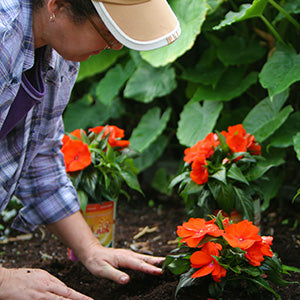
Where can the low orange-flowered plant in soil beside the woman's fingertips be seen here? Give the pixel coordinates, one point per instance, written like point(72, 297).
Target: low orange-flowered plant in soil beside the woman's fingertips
point(220, 254)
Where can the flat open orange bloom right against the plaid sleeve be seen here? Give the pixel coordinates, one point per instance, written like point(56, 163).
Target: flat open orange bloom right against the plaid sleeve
point(76, 155)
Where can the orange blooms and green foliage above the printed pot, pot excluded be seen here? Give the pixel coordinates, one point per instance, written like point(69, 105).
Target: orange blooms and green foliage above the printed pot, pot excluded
point(98, 162)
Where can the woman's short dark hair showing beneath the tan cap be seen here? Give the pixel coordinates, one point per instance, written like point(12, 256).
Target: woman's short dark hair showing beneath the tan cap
point(78, 8)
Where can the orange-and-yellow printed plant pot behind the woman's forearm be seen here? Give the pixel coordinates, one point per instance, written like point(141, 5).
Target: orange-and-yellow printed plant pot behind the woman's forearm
point(101, 220)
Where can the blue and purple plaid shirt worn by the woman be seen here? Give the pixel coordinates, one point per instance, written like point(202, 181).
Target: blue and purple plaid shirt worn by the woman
point(31, 163)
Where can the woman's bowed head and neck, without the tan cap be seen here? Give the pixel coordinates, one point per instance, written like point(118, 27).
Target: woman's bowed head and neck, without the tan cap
point(72, 27)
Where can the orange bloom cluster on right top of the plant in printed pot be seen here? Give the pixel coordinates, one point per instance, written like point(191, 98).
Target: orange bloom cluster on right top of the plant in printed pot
point(115, 135)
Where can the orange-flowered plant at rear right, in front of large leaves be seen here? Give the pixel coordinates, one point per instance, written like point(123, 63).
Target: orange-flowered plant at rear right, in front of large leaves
point(218, 171)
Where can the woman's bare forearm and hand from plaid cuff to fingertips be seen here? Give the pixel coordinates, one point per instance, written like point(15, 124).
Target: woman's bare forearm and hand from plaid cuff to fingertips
point(100, 261)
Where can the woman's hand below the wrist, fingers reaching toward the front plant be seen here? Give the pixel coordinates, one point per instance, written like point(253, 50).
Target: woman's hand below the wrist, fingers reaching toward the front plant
point(104, 262)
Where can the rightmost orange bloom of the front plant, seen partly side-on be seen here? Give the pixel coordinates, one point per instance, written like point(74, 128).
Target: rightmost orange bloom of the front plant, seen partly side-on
point(255, 254)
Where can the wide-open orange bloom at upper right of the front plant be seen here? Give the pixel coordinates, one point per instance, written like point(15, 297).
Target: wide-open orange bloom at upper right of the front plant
point(243, 235)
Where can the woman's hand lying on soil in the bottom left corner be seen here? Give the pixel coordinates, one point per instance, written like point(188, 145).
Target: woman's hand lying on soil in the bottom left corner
point(34, 284)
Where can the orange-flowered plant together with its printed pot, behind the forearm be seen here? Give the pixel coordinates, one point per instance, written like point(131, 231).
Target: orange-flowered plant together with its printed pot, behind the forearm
point(99, 162)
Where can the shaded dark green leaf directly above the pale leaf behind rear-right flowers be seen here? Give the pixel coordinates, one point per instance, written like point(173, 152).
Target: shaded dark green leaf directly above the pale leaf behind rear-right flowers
point(231, 85)
